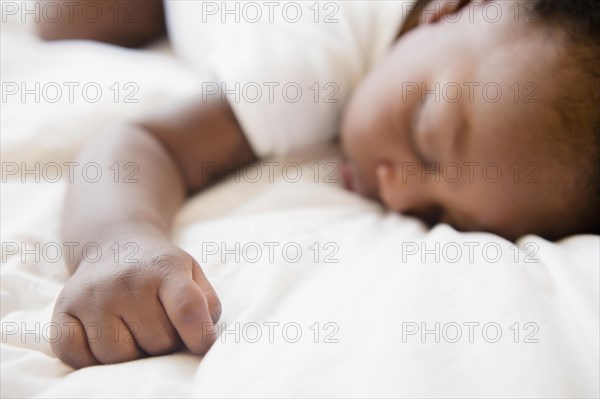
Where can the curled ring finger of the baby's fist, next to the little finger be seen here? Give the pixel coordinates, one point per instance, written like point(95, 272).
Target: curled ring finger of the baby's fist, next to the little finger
point(111, 340)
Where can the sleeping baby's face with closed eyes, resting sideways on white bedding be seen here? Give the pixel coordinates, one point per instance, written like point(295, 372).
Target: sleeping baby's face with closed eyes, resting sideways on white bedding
point(472, 152)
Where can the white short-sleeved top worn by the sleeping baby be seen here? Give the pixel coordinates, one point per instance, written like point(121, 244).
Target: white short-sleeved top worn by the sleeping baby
point(287, 68)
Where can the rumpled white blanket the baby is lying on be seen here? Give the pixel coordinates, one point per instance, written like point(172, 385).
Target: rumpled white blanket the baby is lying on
point(323, 292)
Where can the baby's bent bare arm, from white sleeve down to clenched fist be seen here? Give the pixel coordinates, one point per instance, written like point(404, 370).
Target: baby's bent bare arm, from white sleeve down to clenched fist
point(160, 293)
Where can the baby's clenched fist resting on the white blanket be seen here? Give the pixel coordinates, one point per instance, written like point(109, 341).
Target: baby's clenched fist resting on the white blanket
point(111, 312)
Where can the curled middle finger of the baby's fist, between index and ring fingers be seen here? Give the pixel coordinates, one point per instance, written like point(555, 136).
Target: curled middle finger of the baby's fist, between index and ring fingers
point(152, 328)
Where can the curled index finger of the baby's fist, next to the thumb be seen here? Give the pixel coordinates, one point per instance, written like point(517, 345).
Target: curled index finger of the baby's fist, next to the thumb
point(187, 308)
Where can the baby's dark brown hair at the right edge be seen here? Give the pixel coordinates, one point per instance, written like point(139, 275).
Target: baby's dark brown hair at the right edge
point(579, 104)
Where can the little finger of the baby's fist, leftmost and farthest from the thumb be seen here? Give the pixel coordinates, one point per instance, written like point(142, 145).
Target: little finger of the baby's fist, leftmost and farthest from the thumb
point(70, 344)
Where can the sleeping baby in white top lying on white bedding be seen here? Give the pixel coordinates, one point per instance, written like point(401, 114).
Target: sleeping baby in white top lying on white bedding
point(480, 114)
